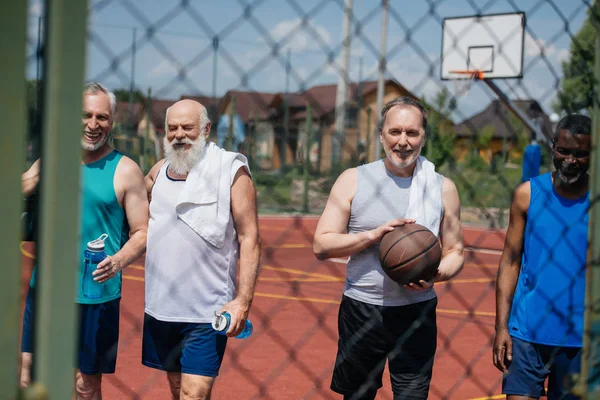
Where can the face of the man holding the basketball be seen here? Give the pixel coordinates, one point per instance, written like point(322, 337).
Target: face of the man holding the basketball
point(403, 136)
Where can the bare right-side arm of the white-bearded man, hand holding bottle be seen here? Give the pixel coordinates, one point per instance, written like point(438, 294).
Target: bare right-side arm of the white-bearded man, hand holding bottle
point(245, 217)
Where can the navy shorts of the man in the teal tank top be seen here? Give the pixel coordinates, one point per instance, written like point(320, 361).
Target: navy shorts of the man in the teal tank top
point(98, 334)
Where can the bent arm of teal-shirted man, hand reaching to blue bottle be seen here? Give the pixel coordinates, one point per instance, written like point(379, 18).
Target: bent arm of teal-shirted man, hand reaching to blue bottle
point(135, 204)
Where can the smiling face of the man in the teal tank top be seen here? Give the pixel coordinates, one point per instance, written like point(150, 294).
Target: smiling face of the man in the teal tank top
point(97, 121)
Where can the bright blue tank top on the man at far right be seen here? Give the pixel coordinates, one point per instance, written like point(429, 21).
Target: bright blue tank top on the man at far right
point(548, 305)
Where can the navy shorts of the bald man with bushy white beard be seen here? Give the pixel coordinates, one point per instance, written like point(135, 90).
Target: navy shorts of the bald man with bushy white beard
point(191, 348)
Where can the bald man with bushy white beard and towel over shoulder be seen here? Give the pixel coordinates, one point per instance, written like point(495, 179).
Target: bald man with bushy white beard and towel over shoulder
point(189, 275)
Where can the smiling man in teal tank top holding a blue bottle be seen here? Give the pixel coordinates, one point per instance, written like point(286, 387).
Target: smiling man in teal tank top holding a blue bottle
point(113, 202)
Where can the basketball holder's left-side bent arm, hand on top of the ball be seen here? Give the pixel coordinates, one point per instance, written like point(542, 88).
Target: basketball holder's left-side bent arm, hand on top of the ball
point(331, 236)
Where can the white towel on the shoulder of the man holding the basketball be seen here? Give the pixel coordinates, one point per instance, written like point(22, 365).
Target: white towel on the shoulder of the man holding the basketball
point(425, 204)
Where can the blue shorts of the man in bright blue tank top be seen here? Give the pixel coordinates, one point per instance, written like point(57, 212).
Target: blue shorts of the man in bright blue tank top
point(532, 363)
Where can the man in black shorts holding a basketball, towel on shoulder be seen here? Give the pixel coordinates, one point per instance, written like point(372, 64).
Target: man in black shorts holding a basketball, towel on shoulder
point(379, 319)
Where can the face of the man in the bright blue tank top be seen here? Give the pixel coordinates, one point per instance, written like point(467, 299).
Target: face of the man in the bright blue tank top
point(571, 156)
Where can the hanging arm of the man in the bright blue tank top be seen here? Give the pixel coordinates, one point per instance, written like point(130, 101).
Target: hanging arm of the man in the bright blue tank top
point(508, 274)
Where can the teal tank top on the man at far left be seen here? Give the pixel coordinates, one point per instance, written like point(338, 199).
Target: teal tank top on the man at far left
point(100, 213)
